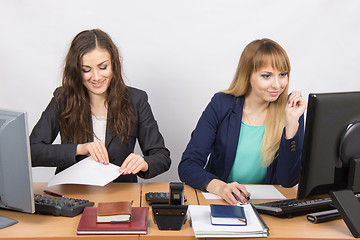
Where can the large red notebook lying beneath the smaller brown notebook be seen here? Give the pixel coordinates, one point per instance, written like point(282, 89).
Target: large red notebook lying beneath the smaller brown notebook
point(138, 224)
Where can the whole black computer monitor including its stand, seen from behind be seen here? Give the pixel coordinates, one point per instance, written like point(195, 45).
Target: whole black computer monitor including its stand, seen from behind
point(331, 151)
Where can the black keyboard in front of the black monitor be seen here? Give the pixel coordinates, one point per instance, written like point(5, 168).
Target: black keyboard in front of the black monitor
point(293, 207)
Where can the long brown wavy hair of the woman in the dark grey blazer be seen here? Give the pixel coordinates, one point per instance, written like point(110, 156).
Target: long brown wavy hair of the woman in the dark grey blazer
point(73, 101)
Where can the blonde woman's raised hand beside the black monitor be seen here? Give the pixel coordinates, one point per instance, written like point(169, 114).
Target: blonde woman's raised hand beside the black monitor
point(296, 106)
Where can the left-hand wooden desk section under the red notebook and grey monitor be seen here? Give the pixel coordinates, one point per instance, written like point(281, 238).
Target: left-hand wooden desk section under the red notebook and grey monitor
point(35, 226)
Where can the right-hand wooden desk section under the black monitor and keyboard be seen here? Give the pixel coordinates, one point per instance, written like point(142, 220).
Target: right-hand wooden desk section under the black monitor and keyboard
point(297, 227)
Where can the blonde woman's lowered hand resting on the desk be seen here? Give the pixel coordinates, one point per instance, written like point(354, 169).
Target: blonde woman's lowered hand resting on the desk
point(226, 191)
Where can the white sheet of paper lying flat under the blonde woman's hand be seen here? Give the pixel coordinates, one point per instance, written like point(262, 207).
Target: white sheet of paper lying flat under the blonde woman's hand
point(257, 192)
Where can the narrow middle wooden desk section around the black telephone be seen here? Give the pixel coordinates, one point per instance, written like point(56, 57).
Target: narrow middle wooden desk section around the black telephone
point(186, 231)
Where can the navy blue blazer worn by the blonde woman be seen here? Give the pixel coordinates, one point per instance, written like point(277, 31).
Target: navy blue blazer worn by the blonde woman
point(217, 134)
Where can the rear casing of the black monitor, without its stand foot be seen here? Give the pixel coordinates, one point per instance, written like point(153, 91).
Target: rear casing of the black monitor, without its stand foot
point(329, 116)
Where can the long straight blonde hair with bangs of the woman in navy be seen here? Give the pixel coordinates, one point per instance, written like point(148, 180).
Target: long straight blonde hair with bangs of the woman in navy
point(256, 55)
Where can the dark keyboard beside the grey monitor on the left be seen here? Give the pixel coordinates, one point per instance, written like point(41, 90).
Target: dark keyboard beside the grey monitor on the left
point(60, 206)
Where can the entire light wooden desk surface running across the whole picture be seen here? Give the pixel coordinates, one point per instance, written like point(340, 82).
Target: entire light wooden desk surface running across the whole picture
point(34, 226)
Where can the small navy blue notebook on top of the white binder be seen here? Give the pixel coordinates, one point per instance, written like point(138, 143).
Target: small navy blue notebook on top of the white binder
point(227, 215)
